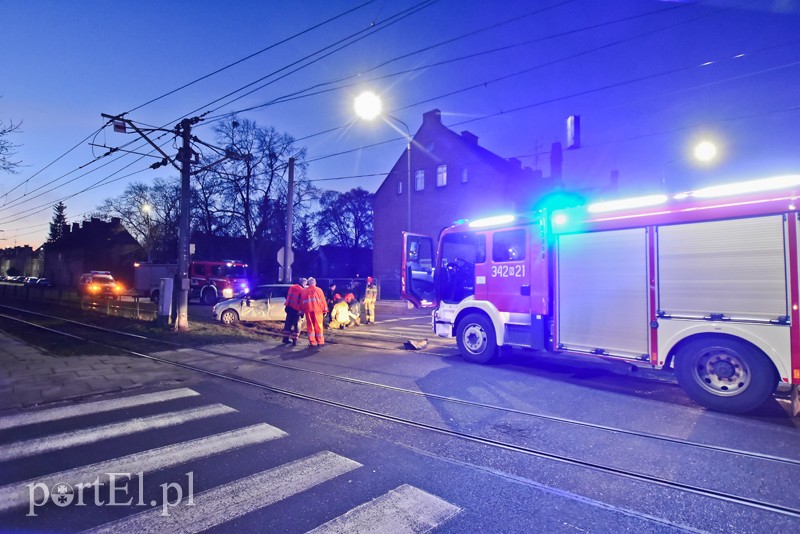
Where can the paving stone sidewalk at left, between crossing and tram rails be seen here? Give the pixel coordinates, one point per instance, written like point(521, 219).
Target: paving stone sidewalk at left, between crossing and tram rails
point(29, 376)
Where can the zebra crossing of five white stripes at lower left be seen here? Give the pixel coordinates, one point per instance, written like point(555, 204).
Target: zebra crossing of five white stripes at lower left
point(403, 509)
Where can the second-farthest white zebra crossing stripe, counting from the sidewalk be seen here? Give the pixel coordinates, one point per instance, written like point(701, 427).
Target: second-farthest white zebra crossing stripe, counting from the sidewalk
point(21, 449)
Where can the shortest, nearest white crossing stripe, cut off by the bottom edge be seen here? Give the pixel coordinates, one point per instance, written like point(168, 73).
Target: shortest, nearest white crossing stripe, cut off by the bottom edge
point(404, 509)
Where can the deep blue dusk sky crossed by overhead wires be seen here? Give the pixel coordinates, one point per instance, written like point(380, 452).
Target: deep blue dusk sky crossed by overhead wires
point(649, 79)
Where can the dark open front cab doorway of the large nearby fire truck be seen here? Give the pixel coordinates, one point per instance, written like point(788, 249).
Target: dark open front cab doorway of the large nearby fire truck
point(460, 253)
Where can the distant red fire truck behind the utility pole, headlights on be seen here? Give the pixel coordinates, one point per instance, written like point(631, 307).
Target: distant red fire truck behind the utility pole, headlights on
point(210, 281)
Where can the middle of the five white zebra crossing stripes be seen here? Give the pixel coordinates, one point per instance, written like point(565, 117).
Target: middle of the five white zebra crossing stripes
point(16, 495)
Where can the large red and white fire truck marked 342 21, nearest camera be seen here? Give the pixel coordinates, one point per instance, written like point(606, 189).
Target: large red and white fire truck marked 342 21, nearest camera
point(706, 283)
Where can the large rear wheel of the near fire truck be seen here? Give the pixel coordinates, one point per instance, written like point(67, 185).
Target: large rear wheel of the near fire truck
point(725, 374)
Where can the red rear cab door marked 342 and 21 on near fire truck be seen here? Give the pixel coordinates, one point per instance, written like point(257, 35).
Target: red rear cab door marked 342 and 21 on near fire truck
point(508, 273)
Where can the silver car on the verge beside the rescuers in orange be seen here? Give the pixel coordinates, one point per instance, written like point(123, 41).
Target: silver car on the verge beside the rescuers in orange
point(264, 303)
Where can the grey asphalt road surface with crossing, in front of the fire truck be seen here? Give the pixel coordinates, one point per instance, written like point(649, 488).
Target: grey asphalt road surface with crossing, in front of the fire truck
point(320, 458)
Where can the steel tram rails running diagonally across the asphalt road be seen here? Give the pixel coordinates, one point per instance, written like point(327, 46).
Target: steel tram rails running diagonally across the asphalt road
point(717, 494)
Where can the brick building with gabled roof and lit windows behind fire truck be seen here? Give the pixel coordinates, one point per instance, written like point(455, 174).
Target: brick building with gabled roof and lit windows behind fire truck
point(452, 177)
